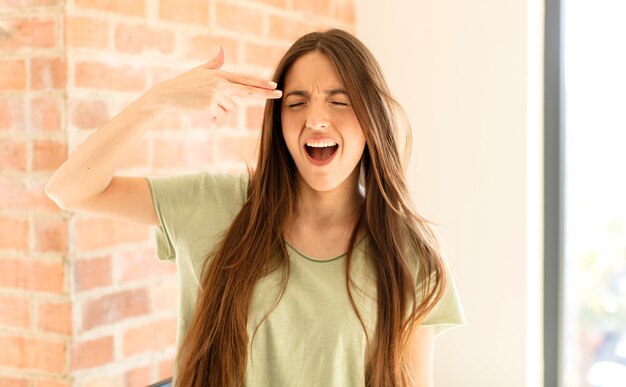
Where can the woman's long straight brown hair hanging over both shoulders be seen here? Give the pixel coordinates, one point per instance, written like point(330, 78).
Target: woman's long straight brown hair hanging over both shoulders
point(214, 351)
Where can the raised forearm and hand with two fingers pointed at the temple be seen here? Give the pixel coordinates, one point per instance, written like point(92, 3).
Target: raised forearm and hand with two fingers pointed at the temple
point(90, 169)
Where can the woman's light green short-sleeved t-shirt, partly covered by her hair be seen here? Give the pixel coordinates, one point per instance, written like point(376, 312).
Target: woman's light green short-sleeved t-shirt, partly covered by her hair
point(313, 337)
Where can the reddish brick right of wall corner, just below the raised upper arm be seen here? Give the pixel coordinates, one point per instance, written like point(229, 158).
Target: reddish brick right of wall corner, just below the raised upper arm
point(96, 233)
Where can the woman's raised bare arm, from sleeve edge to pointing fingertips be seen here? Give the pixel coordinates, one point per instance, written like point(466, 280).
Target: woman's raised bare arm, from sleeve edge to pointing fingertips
point(86, 182)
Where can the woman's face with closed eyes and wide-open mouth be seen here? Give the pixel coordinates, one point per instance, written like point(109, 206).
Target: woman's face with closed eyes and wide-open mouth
point(320, 128)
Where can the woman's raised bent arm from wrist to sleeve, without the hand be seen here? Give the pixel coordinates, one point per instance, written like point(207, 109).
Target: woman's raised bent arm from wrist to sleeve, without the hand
point(82, 183)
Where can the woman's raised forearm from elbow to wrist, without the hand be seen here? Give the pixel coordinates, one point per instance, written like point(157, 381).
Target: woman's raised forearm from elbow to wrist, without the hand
point(90, 169)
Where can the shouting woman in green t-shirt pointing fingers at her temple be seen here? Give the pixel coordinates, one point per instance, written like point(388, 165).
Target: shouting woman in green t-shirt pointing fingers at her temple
point(314, 270)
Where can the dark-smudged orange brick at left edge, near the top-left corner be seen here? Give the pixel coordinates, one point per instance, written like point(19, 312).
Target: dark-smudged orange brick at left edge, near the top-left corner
point(28, 34)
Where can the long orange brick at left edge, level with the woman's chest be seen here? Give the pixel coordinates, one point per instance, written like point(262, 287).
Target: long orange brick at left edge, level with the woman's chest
point(31, 275)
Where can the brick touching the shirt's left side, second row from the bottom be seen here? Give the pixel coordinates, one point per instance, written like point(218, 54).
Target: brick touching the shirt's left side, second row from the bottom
point(149, 337)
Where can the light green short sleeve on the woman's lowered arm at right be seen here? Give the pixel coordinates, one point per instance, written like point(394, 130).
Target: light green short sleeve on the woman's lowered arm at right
point(448, 312)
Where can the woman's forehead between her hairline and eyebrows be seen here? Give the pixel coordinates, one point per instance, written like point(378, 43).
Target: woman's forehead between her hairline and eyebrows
point(312, 70)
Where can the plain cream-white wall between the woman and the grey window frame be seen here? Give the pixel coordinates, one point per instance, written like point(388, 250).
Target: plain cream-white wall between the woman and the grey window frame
point(468, 74)
